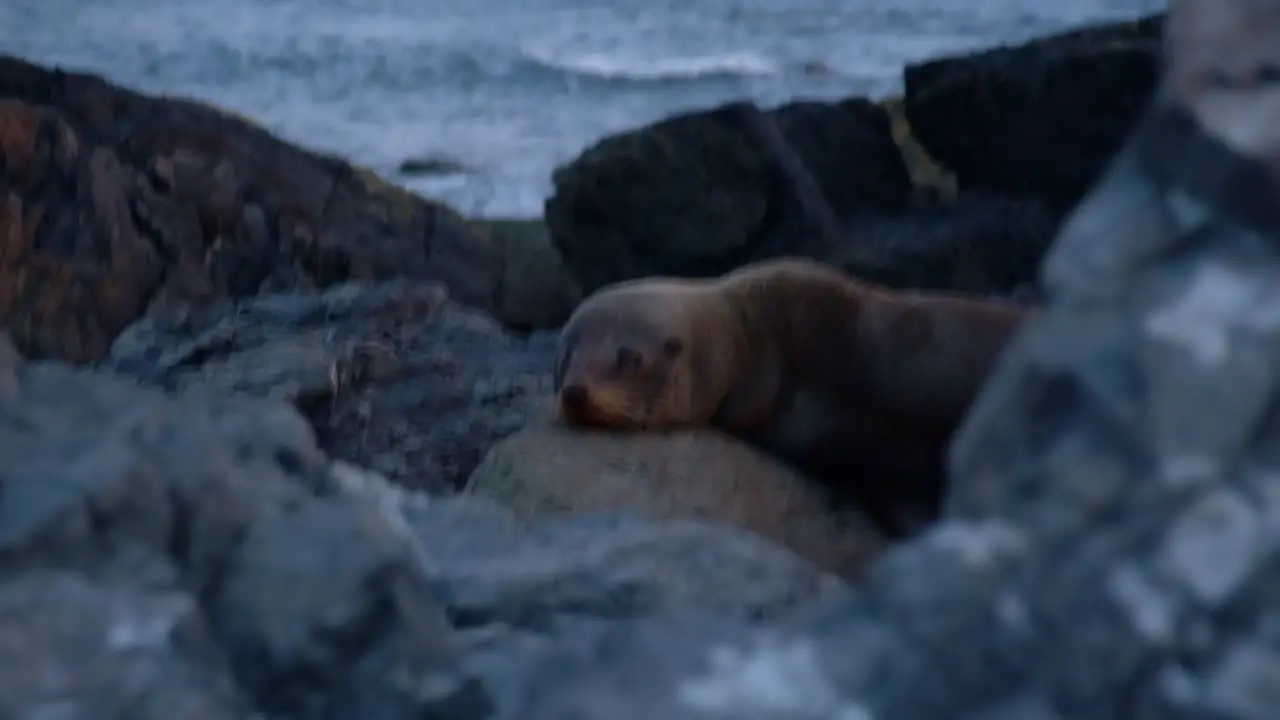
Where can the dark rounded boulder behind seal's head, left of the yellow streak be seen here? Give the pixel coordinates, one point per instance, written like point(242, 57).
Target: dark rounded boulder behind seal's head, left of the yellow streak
point(703, 193)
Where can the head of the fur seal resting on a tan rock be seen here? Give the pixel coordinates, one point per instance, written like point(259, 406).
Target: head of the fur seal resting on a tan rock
point(628, 359)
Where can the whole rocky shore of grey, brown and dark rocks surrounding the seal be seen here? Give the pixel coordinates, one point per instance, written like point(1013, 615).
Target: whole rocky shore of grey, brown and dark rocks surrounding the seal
point(276, 438)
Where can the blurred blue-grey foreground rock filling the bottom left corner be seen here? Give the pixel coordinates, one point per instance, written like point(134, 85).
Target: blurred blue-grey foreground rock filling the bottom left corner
point(80, 649)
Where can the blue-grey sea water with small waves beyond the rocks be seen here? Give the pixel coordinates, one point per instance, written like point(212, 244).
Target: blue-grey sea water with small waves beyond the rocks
point(509, 88)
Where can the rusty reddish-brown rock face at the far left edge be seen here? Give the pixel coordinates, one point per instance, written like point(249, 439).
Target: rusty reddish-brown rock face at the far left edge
point(75, 268)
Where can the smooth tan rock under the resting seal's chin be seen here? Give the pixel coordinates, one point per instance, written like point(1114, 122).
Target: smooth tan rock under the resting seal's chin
point(550, 470)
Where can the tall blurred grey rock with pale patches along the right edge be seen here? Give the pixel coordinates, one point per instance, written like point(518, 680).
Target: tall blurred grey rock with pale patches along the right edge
point(1163, 322)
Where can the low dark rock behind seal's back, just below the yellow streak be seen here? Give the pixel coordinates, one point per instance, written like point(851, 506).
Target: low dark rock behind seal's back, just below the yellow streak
point(977, 245)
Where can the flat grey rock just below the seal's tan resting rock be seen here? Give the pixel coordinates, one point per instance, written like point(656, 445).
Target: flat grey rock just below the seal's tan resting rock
point(611, 567)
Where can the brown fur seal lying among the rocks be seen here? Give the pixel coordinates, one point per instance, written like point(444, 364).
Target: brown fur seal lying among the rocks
point(856, 384)
